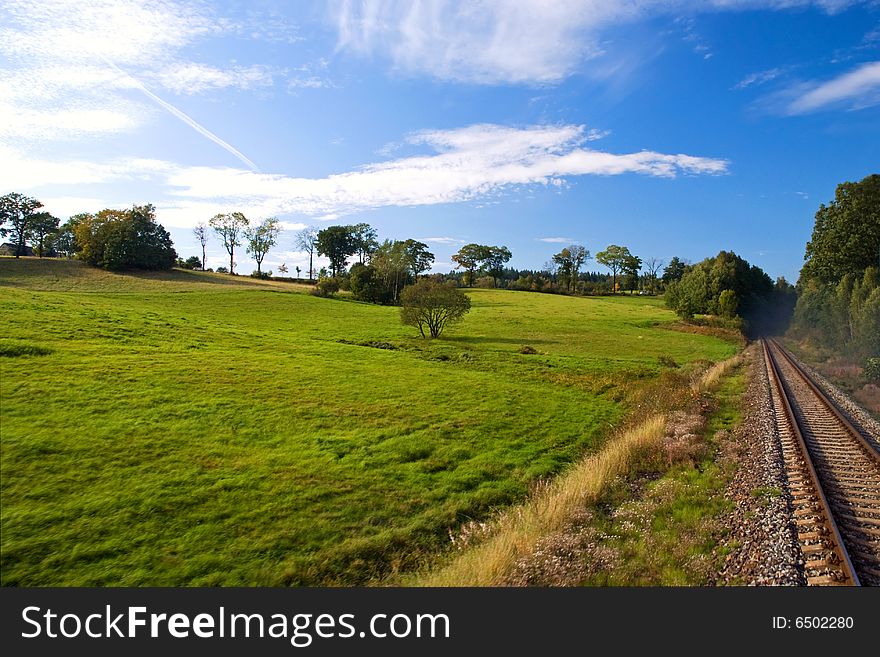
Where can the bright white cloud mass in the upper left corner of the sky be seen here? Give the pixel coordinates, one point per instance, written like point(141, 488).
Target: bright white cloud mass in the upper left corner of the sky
point(62, 59)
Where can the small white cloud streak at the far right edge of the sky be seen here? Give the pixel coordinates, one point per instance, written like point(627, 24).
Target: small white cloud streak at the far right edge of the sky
point(856, 89)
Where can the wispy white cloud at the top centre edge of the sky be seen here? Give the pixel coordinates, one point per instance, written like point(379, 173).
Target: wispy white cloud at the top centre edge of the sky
point(508, 41)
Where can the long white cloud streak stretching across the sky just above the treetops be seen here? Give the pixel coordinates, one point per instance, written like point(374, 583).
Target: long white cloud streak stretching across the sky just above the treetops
point(477, 162)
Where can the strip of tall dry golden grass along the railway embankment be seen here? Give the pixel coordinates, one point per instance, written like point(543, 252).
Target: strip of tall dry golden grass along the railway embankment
point(502, 543)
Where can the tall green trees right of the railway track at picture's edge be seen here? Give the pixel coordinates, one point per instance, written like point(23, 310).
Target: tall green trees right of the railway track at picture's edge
point(838, 307)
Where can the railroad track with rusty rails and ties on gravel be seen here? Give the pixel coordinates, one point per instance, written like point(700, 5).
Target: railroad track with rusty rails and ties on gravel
point(833, 472)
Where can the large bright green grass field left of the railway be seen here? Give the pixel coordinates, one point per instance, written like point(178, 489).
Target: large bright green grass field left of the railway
point(198, 429)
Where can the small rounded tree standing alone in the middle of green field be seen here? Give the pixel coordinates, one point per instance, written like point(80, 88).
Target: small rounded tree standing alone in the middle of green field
point(431, 306)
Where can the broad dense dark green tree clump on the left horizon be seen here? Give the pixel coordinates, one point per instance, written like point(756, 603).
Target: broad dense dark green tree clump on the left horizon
point(118, 240)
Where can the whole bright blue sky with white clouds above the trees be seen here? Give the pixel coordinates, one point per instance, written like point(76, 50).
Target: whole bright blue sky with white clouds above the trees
point(673, 127)
